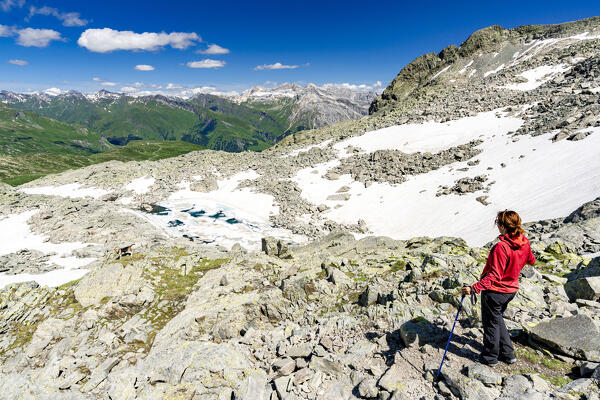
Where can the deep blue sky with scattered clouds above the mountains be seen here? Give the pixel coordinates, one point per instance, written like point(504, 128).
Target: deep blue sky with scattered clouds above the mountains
point(92, 45)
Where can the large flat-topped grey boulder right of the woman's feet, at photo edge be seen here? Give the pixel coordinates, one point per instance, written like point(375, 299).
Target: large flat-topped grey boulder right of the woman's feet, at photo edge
point(576, 336)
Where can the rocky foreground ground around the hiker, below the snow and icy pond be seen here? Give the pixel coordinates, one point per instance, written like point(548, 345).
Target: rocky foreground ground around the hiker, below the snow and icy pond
point(338, 318)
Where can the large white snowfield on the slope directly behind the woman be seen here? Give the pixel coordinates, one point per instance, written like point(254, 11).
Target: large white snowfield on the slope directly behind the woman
point(551, 180)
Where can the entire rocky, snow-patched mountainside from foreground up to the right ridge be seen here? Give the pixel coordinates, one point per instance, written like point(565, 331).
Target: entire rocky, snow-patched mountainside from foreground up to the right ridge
point(329, 265)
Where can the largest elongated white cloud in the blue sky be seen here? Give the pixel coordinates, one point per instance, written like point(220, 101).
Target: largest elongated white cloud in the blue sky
point(106, 40)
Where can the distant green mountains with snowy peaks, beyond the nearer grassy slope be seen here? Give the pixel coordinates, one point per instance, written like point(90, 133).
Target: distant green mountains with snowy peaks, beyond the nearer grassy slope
point(254, 120)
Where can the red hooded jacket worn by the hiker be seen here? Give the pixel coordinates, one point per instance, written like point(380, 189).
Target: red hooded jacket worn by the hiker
point(504, 264)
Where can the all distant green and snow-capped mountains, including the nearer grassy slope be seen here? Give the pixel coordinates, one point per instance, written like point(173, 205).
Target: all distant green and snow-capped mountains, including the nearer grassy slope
point(47, 132)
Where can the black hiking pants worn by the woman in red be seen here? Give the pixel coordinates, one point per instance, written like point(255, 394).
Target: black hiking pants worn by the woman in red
point(496, 340)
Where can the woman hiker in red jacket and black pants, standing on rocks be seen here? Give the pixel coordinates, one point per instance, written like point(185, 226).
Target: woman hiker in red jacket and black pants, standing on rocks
point(498, 285)
